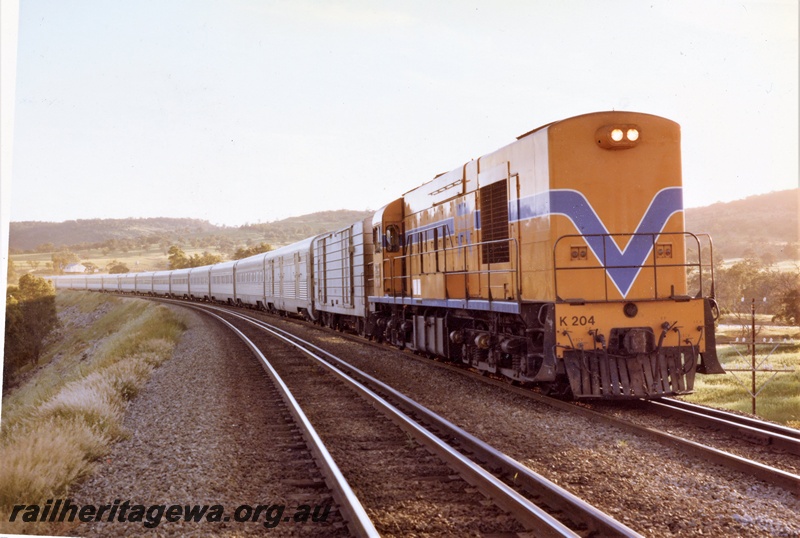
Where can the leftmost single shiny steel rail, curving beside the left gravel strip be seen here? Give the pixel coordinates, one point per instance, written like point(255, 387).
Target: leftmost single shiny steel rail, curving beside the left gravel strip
point(350, 506)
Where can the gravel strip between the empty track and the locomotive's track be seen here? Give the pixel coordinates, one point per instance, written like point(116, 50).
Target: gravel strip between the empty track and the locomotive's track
point(654, 489)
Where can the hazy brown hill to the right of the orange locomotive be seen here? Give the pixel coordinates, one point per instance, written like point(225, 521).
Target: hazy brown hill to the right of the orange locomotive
point(764, 225)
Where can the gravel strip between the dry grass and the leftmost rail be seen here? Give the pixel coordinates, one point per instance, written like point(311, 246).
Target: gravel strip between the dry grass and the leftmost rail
point(203, 432)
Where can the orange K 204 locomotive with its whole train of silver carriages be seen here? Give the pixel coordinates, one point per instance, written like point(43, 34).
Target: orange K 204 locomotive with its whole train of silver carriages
point(559, 260)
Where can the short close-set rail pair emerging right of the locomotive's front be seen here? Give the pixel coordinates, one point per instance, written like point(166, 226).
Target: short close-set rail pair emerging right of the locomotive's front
point(777, 435)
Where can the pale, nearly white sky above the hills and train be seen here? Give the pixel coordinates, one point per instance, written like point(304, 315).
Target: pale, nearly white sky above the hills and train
point(237, 111)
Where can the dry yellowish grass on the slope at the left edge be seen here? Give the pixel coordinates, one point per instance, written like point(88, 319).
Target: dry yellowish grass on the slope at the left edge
point(70, 412)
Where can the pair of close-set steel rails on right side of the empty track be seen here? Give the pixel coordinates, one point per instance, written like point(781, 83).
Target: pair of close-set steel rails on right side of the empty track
point(506, 497)
